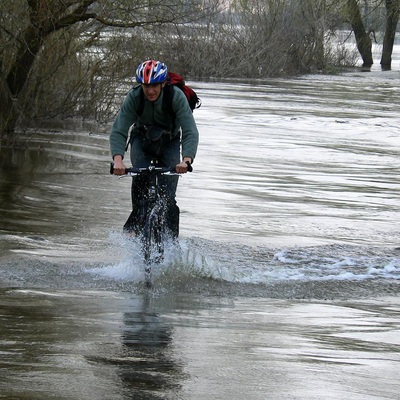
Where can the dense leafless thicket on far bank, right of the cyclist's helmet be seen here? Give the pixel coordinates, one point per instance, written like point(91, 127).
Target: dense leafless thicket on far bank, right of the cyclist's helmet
point(260, 38)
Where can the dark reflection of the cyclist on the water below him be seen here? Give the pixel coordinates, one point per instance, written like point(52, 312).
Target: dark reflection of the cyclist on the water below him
point(145, 363)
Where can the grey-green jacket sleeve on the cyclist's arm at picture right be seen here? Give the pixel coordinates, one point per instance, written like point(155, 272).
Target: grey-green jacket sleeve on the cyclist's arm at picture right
point(185, 120)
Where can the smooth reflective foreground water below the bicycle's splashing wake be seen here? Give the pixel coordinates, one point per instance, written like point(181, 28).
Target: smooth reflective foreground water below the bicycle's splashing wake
point(108, 345)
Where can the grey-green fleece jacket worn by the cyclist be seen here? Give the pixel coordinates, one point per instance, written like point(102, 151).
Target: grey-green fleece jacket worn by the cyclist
point(153, 114)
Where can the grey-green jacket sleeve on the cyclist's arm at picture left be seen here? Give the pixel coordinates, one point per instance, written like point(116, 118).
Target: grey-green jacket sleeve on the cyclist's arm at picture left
point(126, 117)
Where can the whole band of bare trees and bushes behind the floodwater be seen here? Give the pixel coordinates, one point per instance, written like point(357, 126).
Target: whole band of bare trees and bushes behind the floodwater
point(72, 58)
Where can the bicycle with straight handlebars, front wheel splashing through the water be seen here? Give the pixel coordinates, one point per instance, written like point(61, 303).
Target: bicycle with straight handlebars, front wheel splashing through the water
point(152, 213)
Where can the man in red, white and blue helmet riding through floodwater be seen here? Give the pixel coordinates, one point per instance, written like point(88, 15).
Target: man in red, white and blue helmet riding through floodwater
point(135, 115)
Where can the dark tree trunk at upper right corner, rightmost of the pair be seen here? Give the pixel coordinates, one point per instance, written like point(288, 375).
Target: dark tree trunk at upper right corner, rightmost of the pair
point(392, 18)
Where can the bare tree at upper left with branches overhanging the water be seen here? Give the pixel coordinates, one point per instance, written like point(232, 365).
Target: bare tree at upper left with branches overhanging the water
point(40, 38)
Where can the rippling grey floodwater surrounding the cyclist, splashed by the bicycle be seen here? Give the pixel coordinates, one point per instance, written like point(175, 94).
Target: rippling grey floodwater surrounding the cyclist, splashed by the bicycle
point(287, 281)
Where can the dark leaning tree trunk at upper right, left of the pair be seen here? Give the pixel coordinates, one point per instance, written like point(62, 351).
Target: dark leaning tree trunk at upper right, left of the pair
point(363, 40)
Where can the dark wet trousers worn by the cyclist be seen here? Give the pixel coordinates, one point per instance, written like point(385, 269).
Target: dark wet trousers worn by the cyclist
point(168, 185)
